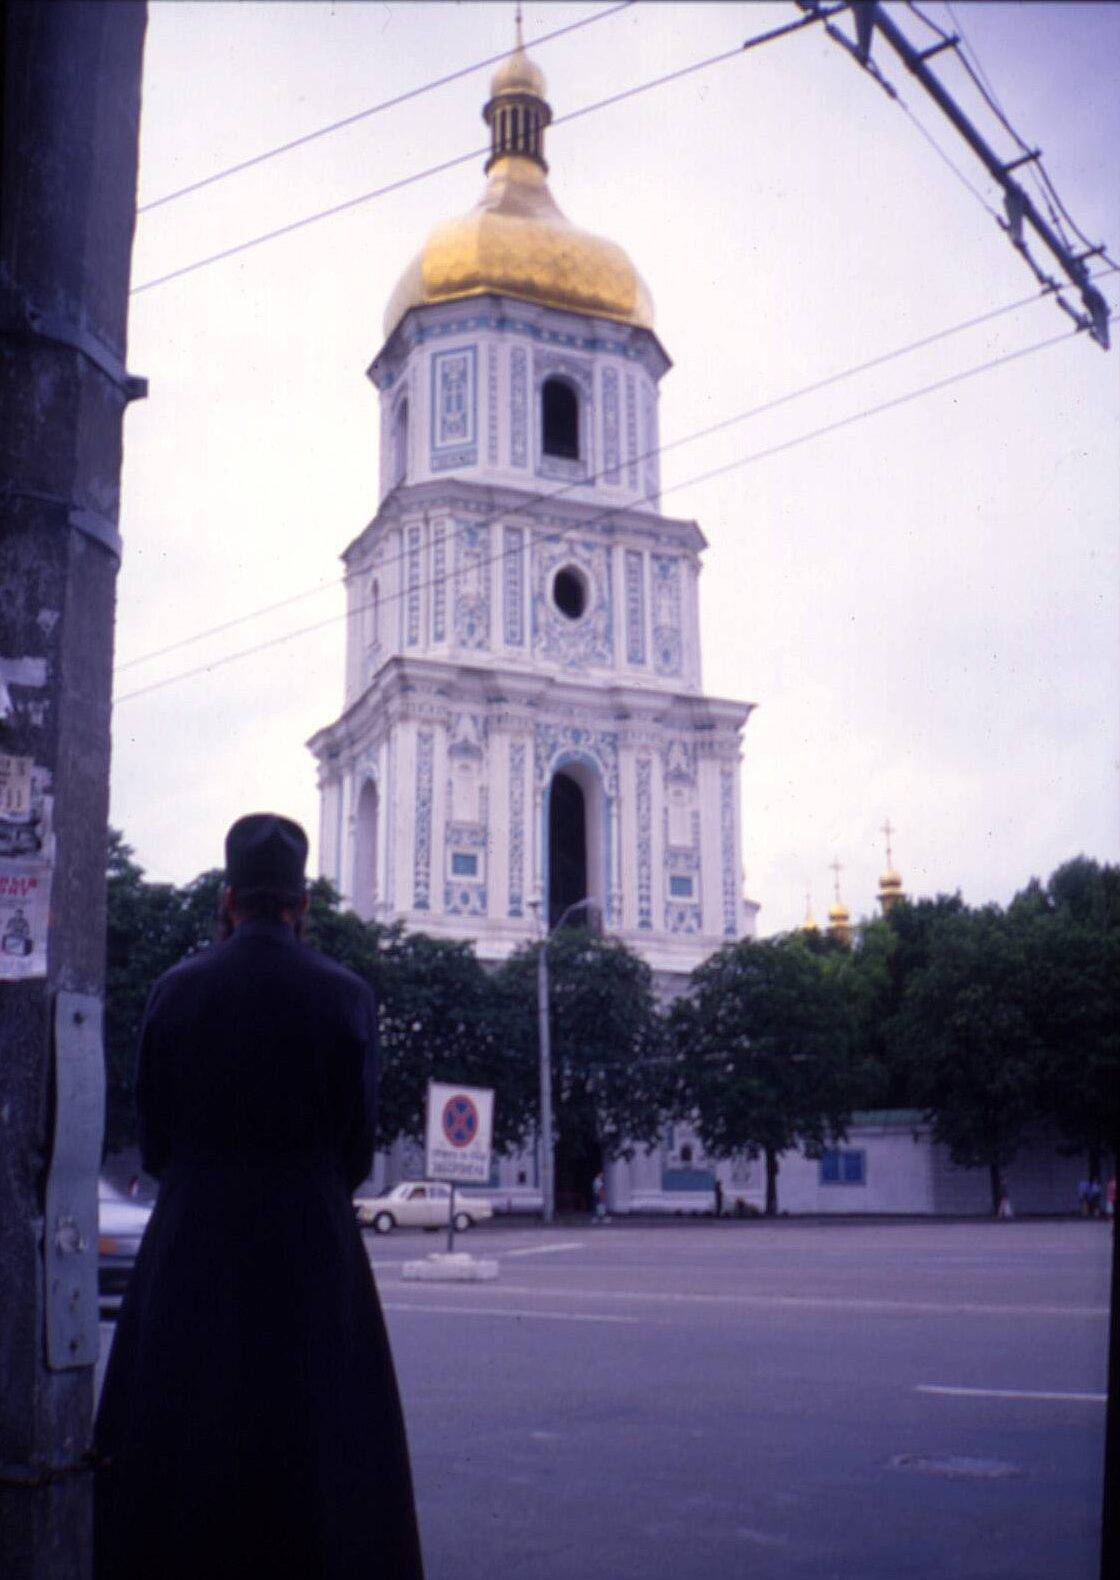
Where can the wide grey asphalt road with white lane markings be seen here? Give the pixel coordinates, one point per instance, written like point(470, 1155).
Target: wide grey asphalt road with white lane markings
point(708, 1402)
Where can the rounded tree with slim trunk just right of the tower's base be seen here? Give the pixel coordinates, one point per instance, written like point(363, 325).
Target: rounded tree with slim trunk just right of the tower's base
point(764, 1050)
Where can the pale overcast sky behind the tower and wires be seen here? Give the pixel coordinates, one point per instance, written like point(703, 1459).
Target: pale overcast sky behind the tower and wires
point(923, 604)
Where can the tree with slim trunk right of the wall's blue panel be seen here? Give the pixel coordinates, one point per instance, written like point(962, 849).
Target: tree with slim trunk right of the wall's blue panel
point(966, 1037)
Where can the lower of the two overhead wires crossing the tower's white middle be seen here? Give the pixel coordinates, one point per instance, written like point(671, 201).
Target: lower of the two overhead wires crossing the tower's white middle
point(614, 511)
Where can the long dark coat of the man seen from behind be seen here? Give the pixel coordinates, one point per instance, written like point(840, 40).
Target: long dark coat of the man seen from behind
point(250, 1423)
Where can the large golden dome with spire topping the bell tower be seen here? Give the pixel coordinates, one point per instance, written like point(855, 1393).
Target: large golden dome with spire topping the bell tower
point(516, 241)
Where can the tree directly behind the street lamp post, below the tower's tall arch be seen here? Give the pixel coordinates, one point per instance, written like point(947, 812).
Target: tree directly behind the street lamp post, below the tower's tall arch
point(606, 1045)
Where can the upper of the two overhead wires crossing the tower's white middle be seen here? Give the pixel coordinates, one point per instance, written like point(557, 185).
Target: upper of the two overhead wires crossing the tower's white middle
point(547, 497)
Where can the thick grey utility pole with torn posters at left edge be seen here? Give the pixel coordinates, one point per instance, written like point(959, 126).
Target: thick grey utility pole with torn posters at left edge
point(69, 148)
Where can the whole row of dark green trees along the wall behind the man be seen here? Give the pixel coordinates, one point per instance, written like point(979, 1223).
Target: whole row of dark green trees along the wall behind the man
point(991, 1021)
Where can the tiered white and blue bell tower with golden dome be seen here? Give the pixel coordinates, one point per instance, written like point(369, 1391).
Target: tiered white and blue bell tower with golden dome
point(524, 709)
